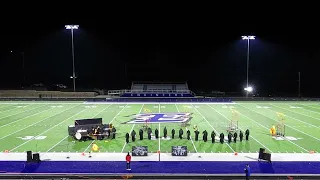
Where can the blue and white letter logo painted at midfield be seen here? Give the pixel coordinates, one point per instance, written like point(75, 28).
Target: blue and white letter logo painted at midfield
point(160, 118)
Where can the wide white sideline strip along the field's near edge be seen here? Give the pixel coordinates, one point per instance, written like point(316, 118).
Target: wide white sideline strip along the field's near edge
point(243, 157)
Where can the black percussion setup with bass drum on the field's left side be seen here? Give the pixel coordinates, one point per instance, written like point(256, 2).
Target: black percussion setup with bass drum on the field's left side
point(90, 129)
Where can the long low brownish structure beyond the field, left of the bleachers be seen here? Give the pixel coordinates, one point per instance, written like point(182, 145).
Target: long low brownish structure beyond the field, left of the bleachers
point(44, 94)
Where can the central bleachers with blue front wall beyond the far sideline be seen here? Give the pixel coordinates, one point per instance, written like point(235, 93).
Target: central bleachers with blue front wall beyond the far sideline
point(156, 90)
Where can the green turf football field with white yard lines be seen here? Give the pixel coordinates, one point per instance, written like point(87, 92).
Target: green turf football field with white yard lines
point(43, 126)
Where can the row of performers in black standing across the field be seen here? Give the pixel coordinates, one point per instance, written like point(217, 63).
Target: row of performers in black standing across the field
point(231, 136)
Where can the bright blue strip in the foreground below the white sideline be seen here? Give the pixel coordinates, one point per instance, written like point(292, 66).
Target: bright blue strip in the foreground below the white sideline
point(164, 167)
